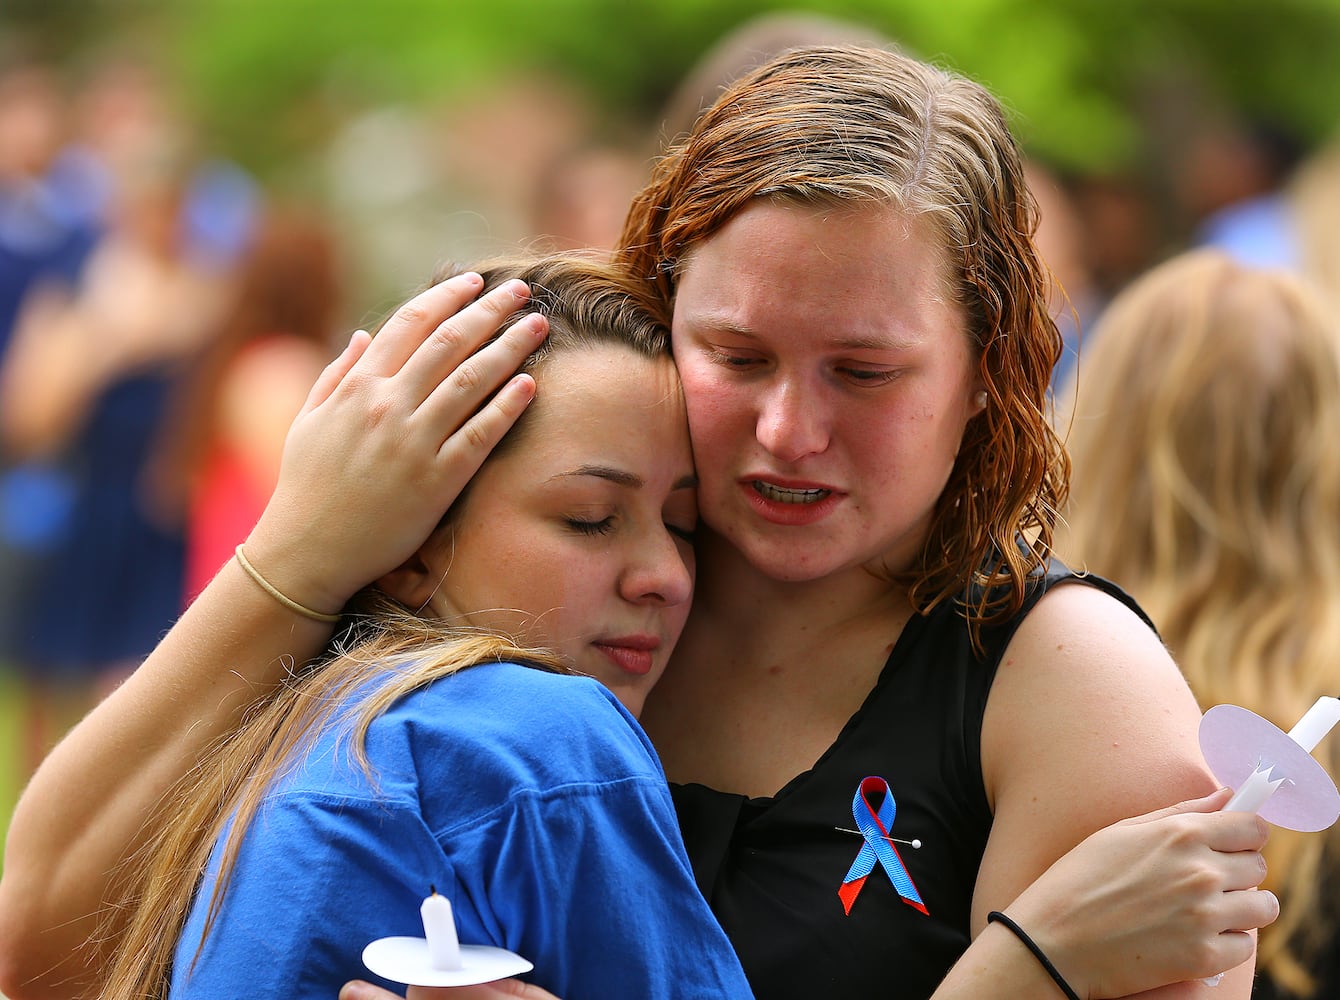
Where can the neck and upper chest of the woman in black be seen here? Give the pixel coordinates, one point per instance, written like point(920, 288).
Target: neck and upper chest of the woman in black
point(781, 664)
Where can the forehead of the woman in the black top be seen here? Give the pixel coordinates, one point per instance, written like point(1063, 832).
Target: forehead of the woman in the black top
point(866, 274)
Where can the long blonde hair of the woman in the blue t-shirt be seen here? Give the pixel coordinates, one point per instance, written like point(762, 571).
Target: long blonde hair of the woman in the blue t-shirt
point(384, 652)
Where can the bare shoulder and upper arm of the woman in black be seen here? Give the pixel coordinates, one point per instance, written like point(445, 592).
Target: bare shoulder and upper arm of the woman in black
point(1089, 722)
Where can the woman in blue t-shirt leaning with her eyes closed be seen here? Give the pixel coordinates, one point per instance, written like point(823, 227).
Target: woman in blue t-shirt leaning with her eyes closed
point(438, 745)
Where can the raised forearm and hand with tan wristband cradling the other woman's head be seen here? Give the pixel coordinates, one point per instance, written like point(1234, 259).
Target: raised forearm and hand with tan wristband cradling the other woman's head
point(415, 408)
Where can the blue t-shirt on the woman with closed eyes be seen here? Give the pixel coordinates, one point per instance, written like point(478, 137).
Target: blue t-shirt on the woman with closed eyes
point(533, 801)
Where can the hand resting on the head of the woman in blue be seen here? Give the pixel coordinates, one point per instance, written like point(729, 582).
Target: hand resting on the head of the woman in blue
point(391, 435)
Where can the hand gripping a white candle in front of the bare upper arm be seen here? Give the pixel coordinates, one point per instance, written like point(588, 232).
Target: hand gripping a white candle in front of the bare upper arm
point(1166, 897)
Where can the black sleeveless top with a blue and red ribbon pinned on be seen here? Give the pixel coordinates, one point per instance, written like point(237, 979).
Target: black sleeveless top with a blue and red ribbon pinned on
point(771, 868)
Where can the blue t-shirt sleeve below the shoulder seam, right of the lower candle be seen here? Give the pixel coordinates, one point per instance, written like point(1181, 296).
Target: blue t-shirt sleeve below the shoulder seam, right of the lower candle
point(593, 884)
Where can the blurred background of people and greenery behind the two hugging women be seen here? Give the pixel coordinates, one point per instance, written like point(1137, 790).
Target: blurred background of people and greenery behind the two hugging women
point(200, 200)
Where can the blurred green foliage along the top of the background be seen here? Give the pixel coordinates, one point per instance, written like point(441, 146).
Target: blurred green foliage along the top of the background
point(1081, 77)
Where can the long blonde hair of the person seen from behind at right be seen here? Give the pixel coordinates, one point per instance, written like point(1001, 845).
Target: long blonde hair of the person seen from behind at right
point(1207, 482)
